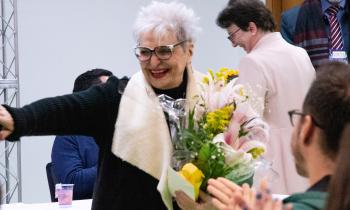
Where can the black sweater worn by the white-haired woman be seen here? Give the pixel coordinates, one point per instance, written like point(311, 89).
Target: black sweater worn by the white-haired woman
point(93, 112)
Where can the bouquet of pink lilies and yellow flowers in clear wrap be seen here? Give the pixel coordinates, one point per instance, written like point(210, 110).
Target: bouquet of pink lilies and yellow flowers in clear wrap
point(221, 137)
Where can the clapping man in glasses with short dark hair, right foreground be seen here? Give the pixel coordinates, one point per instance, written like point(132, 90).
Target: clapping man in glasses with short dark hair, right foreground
point(315, 144)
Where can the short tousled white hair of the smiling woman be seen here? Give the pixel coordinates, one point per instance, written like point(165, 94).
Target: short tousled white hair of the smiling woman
point(163, 17)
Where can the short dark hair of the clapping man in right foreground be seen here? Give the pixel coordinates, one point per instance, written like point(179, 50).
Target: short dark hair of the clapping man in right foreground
point(328, 102)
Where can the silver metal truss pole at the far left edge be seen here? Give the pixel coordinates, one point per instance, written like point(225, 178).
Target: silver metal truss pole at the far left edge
point(9, 85)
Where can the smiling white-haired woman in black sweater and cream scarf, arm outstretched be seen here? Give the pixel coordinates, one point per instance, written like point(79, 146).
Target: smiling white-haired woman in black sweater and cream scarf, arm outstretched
point(133, 135)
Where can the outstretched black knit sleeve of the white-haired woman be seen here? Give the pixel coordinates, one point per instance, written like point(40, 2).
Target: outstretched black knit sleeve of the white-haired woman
point(89, 112)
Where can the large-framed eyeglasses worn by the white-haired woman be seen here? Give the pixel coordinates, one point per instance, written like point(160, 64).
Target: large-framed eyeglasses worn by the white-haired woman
point(162, 52)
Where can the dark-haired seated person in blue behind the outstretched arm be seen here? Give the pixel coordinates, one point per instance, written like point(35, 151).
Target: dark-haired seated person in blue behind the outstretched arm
point(74, 158)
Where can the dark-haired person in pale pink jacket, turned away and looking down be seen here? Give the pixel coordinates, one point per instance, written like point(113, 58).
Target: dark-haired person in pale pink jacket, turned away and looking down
point(278, 73)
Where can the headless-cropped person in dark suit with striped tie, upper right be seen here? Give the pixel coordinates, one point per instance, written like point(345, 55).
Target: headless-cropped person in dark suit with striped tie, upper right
point(310, 26)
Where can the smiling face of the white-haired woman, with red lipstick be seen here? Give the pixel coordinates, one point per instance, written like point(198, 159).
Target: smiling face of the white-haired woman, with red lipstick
point(165, 74)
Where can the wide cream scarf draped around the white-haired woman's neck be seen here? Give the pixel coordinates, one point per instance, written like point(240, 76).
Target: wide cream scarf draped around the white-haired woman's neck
point(141, 135)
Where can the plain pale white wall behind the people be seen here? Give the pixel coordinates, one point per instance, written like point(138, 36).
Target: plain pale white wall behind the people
point(59, 39)
